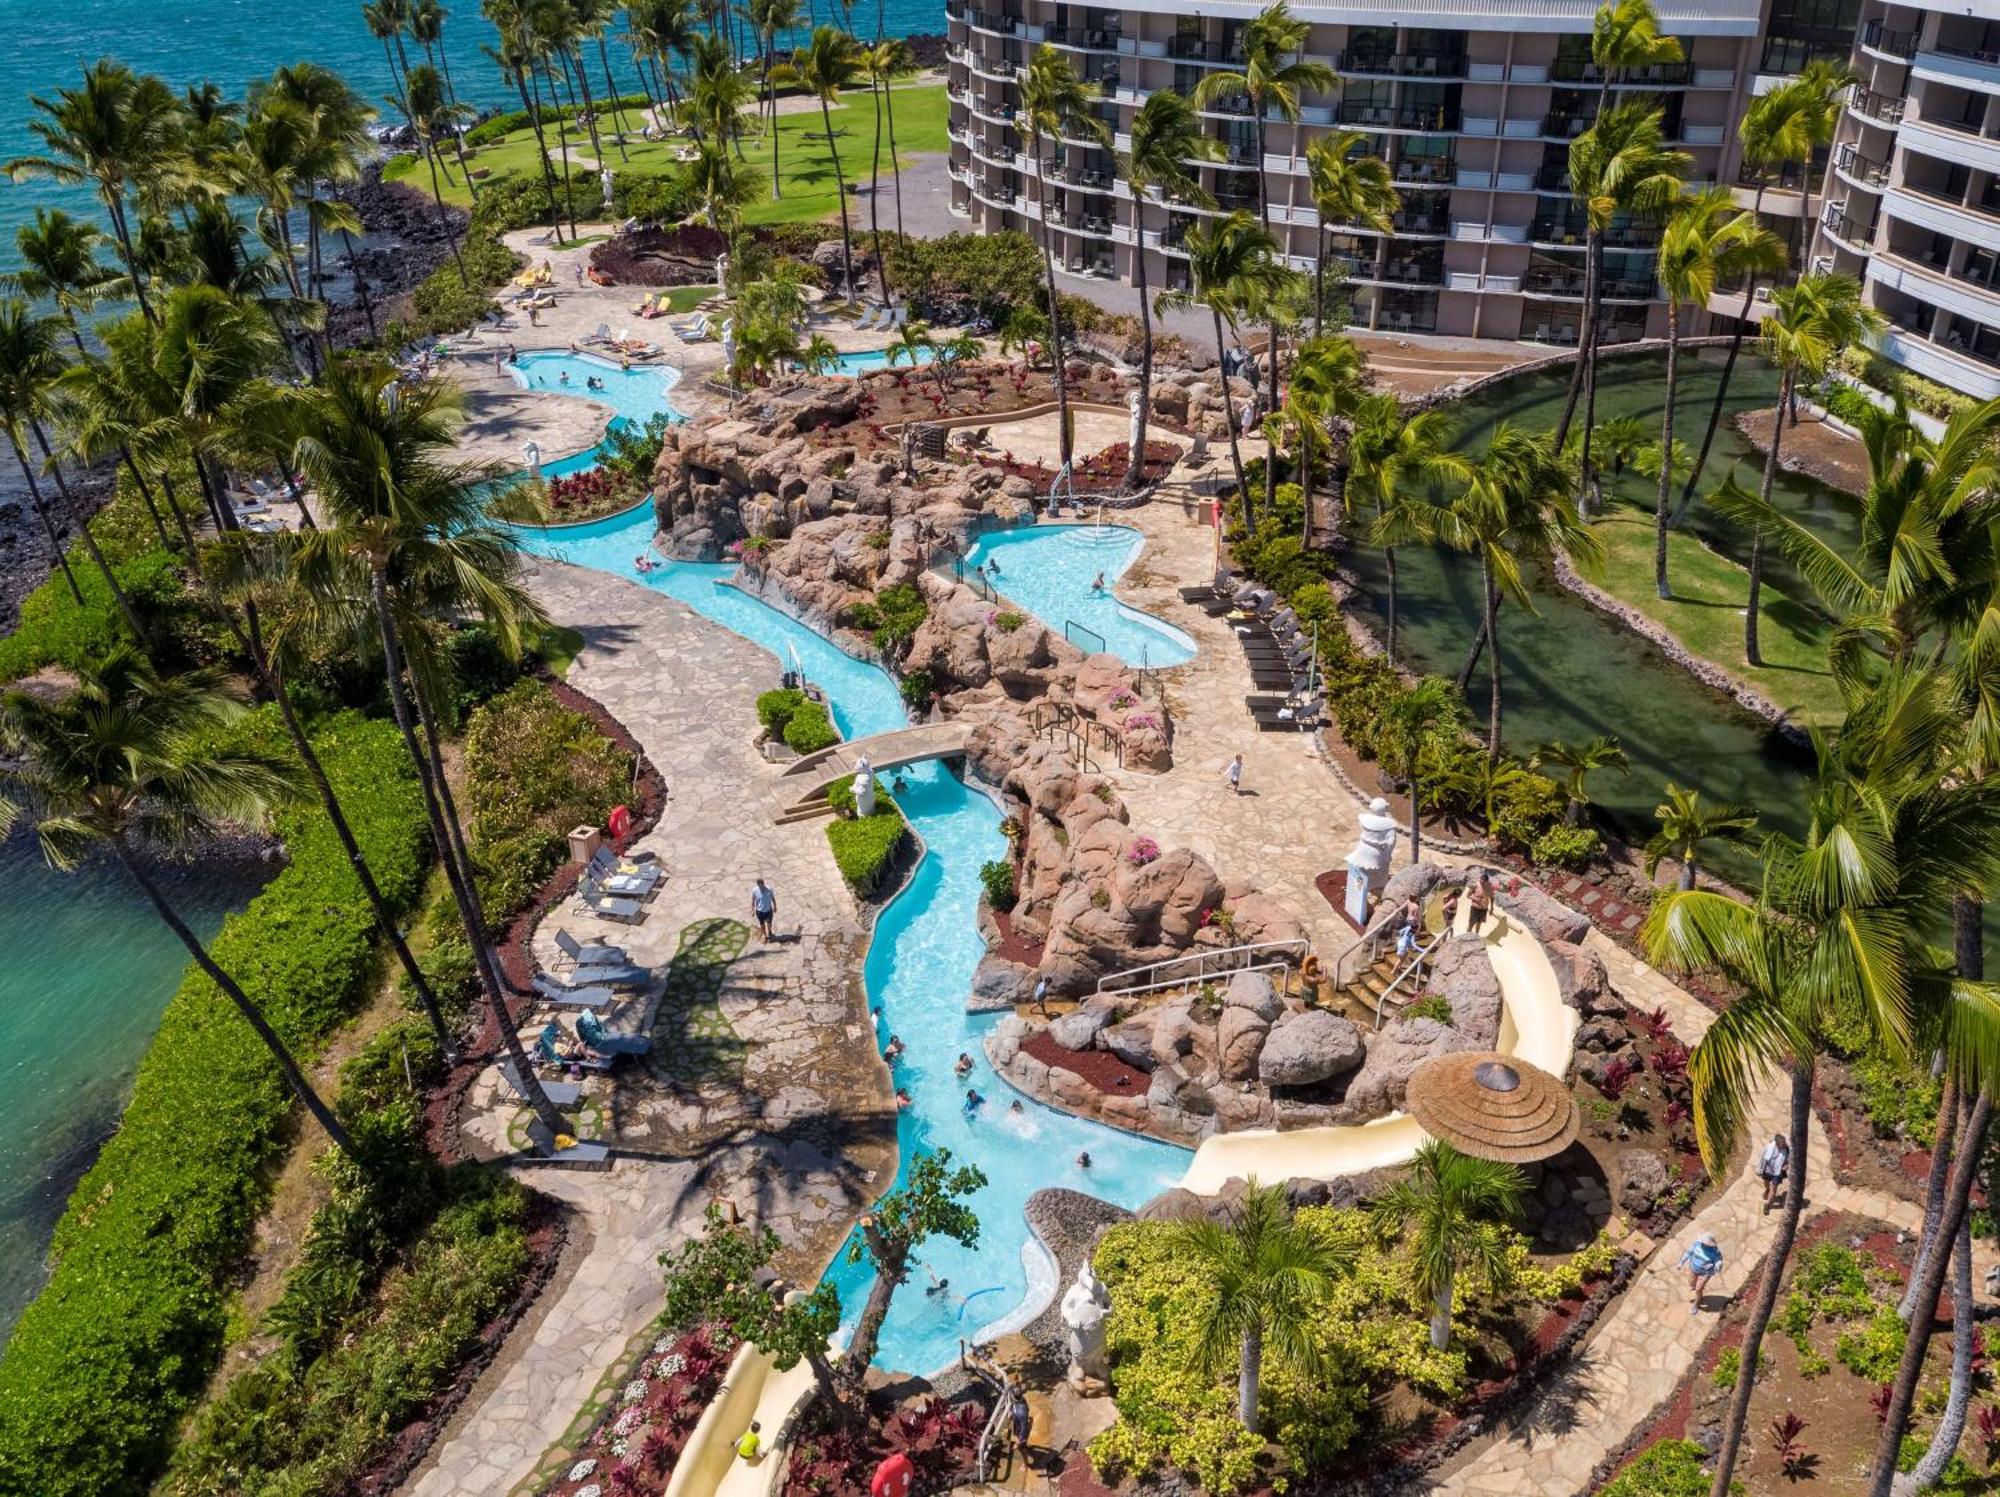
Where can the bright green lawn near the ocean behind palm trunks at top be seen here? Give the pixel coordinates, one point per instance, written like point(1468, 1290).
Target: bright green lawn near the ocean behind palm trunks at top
point(805, 167)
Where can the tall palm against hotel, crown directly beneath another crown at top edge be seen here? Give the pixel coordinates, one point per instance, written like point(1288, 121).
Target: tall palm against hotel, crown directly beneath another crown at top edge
point(1619, 167)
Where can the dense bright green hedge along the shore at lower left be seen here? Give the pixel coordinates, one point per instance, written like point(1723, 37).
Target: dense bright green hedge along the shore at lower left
point(105, 1364)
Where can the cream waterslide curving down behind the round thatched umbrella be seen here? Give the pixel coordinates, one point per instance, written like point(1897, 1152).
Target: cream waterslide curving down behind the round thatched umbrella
point(1535, 1026)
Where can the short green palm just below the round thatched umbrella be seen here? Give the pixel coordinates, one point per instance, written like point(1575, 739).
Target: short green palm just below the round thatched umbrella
point(1449, 1202)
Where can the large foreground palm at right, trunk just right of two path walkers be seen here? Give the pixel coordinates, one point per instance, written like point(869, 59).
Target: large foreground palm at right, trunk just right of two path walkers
point(1835, 938)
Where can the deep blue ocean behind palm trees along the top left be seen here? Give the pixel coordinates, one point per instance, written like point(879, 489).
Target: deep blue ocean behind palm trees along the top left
point(239, 41)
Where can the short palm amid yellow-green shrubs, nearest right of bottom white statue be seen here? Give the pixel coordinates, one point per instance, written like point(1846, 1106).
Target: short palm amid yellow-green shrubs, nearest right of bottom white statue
point(1269, 1272)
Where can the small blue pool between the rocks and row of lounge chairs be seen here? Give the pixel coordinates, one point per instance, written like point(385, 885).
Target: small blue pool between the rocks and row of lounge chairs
point(1049, 569)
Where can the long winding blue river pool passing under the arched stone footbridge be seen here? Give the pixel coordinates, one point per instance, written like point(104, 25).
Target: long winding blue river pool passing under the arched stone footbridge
point(919, 974)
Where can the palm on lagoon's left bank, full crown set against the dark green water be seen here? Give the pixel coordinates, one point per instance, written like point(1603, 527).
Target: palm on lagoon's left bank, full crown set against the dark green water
point(1513, 511)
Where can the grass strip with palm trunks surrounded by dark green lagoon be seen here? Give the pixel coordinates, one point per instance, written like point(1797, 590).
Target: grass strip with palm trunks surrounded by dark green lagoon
point(1707, 613)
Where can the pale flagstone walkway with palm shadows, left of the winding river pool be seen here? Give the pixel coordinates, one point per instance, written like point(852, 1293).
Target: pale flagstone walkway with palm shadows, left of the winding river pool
point(765, 1090)
